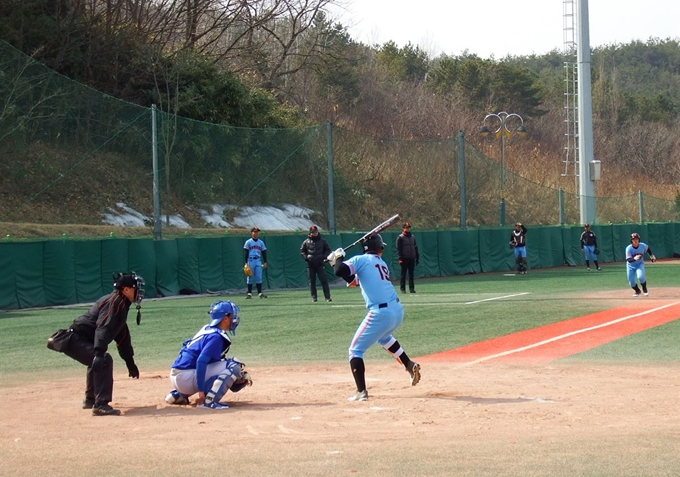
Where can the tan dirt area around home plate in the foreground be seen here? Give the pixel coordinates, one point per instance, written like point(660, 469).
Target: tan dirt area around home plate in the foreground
point(492, 418)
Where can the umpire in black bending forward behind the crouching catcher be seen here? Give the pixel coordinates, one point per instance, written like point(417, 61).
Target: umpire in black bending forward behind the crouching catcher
point(91, 334)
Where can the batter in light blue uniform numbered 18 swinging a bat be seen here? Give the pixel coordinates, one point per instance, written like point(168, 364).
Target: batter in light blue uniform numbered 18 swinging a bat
point(385, 313)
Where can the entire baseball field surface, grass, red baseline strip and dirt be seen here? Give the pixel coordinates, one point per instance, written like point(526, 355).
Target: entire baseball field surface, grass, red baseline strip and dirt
point(560, 372)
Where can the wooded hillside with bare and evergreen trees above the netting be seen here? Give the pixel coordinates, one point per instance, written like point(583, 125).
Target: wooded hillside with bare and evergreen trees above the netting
point(287, 64)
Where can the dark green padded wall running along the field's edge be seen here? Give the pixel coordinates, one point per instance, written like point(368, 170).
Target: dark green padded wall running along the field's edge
point(64, 272)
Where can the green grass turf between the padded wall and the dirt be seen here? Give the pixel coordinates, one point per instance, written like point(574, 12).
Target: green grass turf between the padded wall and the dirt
point(288, 328)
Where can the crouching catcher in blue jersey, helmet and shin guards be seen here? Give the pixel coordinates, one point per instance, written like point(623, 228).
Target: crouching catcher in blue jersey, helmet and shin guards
point(202, 366)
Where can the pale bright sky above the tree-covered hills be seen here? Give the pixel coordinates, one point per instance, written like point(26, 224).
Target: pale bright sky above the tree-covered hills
point(497, 28)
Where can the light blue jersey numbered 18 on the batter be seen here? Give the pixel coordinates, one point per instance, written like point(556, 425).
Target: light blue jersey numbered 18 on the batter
point(374, 279)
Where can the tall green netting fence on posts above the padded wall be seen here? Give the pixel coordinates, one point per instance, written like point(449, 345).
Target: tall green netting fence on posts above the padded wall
point(63, 142)
